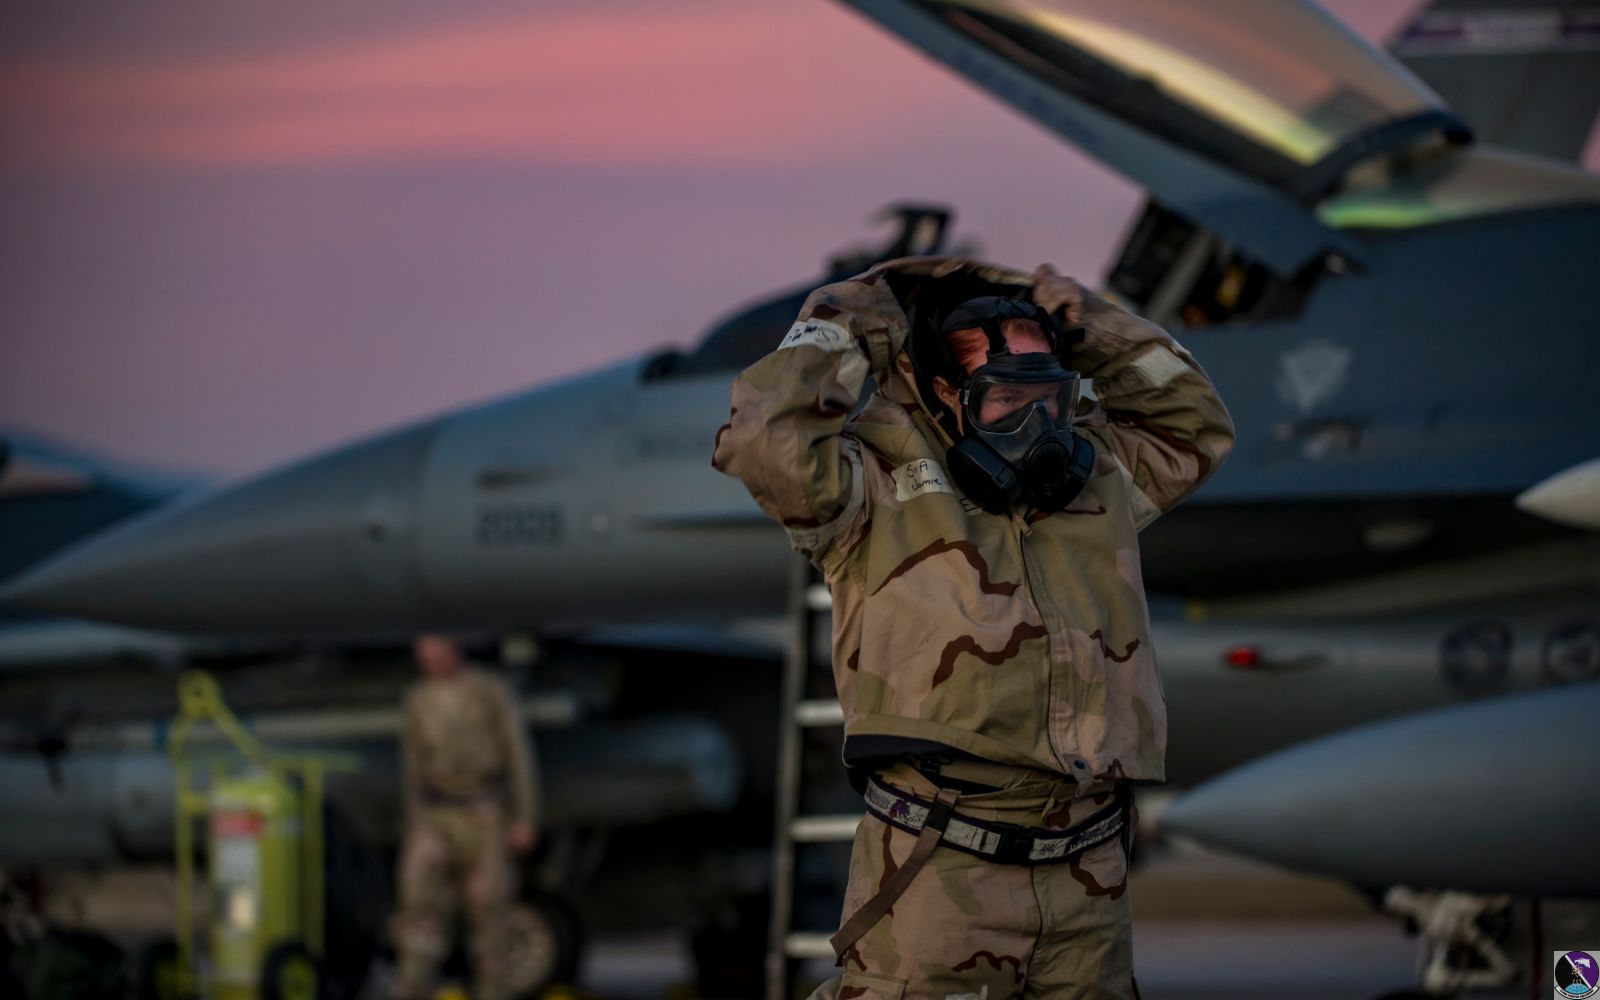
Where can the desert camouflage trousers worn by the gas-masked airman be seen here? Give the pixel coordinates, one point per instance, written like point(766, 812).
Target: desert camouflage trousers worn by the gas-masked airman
point(975, 930)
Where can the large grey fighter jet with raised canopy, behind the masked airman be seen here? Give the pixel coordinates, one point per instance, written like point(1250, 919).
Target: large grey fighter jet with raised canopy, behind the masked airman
point(1396, 314)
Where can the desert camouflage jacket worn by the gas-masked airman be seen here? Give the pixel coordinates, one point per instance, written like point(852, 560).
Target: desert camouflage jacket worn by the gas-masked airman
point(1018, 639)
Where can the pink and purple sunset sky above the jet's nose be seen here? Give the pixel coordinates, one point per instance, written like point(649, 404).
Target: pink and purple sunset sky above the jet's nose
point(239, 233)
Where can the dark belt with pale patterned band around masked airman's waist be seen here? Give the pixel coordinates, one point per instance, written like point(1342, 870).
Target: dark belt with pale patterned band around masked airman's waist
point(1001, 842)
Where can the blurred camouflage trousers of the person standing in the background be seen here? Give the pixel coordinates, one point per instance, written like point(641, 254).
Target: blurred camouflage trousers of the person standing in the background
point(454, 854)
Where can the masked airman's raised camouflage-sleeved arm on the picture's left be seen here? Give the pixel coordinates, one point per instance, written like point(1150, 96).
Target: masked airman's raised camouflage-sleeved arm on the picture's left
point(785, 439)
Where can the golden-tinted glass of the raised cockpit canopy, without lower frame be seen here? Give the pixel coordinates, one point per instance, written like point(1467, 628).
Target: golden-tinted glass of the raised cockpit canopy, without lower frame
point(1270, 89)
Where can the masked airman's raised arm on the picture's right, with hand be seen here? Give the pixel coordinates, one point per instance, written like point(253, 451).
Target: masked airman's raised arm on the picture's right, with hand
point(1164, 418)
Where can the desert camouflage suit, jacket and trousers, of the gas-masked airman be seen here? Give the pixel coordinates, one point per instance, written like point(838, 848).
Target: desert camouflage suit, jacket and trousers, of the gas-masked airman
point(1015, 649)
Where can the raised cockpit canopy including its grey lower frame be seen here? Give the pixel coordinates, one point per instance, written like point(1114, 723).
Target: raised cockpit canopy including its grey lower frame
point(1241, 124)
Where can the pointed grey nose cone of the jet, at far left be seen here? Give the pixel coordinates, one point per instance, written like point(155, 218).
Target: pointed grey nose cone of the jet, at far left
point(327, 545)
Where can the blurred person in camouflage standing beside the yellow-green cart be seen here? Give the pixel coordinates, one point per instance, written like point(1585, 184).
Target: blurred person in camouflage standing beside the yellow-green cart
point(470, 806)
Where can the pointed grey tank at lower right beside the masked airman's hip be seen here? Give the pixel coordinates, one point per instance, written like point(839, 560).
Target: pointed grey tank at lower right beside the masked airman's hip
point(1476, 798)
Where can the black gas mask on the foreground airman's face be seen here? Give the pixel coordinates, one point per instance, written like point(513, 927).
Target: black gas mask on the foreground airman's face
point(1017, 412)
